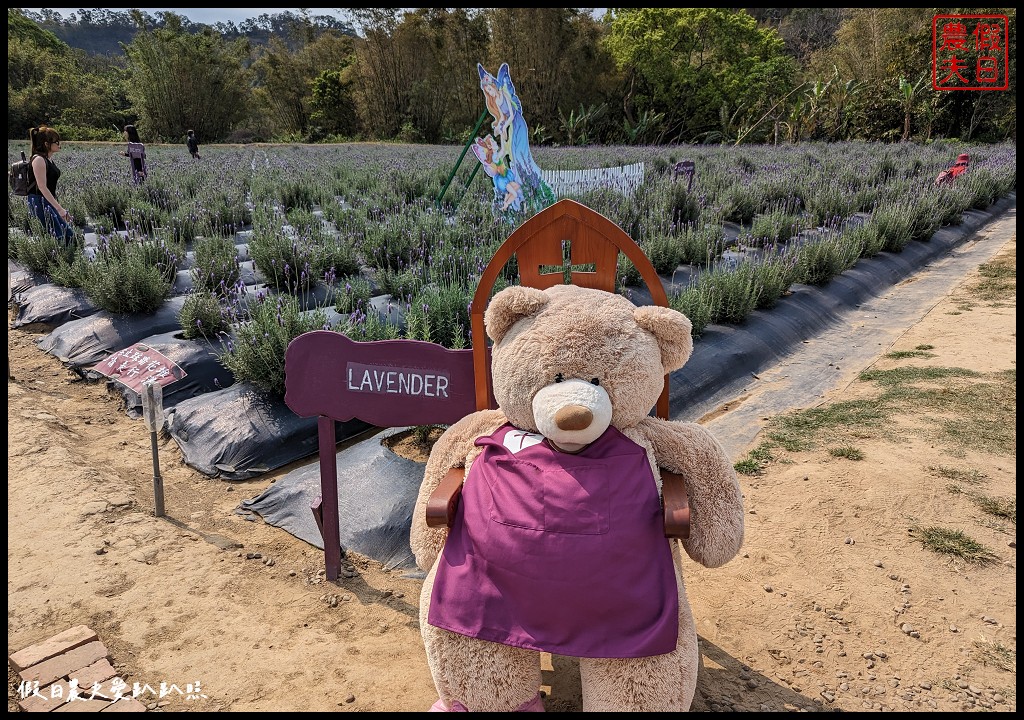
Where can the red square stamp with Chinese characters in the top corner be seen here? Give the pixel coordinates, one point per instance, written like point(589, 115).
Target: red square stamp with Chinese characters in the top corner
point(970, 53)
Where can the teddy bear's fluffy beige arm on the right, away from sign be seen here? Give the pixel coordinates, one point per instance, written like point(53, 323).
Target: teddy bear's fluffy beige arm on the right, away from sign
point(716, 503)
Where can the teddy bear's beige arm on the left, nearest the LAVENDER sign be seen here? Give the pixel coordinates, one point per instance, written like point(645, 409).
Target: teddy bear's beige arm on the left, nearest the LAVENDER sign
point(451, 451)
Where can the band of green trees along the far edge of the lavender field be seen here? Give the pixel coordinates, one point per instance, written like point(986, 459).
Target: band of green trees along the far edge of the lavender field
point(644, 76)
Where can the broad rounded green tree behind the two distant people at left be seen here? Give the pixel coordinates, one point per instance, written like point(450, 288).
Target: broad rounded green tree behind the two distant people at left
point(180, 80)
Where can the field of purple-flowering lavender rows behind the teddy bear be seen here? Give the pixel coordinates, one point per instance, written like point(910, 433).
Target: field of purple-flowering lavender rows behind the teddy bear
point(254, 245)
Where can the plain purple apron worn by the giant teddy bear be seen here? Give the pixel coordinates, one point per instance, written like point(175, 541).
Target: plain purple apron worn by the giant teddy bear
point(561, 554)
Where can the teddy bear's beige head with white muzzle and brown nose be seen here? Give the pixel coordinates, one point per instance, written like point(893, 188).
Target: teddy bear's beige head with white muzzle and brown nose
point(568, 362)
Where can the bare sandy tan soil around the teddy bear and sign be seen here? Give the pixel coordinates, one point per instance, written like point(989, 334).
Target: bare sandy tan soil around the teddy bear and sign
point(832, 605)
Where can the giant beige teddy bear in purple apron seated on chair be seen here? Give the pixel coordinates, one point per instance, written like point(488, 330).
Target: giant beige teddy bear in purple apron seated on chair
point(559, 541)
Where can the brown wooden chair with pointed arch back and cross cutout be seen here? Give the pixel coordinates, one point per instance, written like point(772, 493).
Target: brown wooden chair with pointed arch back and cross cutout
point(539, 247)
